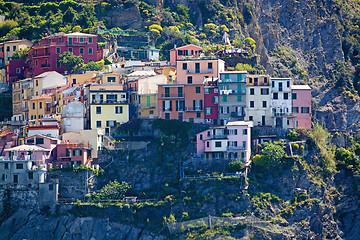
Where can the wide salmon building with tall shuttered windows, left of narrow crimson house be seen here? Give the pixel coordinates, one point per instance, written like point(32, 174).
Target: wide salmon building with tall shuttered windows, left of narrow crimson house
point(181, 101)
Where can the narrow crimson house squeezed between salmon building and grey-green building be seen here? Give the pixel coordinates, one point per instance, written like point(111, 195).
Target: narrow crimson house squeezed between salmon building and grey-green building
point(211, 101)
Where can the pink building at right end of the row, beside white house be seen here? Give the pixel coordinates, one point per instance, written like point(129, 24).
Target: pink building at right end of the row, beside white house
point(301, 105)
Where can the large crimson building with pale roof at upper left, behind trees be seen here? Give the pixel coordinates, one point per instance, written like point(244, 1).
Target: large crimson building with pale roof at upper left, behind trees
point(44, 55)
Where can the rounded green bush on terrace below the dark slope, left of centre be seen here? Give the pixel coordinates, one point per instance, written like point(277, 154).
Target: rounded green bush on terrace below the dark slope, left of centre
point(114, 190)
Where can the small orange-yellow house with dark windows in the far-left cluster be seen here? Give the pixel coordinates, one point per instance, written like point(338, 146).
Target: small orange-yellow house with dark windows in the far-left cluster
point(39, 107)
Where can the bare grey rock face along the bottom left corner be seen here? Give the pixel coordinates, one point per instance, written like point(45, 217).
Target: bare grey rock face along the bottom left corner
point(25, 224)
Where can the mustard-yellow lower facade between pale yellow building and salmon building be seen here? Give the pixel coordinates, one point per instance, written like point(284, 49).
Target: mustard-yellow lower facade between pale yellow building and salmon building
point(147, 106)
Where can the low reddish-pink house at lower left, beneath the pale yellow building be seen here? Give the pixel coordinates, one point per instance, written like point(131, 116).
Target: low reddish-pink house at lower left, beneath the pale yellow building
point(73, 155)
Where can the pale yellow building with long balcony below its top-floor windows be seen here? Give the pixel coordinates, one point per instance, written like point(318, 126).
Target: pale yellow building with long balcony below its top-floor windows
point(109, 106)
